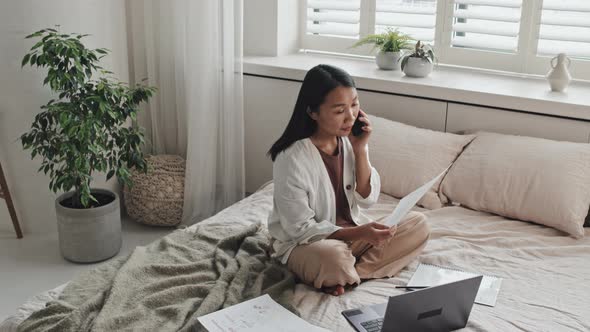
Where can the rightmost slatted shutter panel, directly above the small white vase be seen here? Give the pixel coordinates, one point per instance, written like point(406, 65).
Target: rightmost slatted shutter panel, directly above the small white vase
point(565, 28)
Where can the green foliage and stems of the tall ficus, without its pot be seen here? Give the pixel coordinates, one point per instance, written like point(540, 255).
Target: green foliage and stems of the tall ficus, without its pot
point(85, 128)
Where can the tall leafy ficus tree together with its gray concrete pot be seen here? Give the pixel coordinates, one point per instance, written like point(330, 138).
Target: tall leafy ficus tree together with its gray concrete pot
point(87, 128)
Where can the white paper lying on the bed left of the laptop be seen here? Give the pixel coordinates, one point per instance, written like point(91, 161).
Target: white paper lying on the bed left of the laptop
point(261, 314)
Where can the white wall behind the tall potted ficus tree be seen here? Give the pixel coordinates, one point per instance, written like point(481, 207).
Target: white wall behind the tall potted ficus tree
point(22, 93)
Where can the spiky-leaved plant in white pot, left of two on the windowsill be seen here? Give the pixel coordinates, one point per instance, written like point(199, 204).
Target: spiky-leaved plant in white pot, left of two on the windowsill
point(391, 44)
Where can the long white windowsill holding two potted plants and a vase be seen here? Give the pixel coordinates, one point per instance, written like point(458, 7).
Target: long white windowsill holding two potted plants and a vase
point(530, 94)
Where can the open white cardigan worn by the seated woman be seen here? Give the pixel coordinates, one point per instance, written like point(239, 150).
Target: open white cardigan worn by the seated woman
point(304, 204)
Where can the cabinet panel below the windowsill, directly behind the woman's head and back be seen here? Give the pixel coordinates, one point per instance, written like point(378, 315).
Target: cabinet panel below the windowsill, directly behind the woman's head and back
point(269, 103)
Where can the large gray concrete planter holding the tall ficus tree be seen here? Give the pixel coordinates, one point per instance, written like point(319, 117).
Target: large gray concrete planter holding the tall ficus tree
point(89, 235)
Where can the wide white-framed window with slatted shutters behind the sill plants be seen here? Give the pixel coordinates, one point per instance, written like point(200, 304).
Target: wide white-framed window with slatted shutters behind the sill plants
point(509, 35)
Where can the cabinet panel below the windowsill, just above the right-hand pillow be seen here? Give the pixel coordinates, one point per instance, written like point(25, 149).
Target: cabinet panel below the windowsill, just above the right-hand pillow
point(471, 118)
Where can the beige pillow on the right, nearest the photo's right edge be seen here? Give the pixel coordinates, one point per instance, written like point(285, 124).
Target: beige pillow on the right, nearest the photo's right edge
point(531, 179)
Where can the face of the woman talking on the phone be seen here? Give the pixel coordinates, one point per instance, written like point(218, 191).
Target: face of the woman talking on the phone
point(338, 112)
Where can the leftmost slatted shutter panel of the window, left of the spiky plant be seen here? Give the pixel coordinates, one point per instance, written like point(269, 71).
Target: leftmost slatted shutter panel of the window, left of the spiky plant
point(339, 18)
